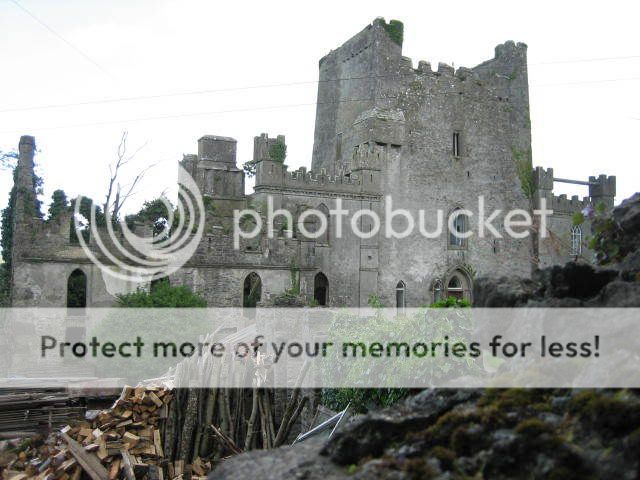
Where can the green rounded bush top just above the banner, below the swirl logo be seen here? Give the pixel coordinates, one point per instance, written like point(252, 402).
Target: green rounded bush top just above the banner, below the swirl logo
point(162, 295)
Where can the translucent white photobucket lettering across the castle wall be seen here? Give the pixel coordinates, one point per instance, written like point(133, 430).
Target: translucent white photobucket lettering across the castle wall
point(398, 223)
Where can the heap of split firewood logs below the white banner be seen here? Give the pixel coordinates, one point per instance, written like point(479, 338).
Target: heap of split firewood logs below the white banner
point(124, 441)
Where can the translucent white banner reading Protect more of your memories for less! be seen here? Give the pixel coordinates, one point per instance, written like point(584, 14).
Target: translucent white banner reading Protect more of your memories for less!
point(321, 348)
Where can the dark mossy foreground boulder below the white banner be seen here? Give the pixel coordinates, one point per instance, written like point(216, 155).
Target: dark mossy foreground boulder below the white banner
point(456, 434)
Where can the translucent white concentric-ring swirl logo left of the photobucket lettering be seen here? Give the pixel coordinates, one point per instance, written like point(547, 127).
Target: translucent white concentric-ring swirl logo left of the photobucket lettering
point(134, 258)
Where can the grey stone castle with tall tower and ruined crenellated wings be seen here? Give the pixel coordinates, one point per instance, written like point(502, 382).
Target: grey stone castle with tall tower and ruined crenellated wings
point(426, 139)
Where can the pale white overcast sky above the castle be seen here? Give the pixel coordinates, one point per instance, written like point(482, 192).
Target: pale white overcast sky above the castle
point(585, 102)
